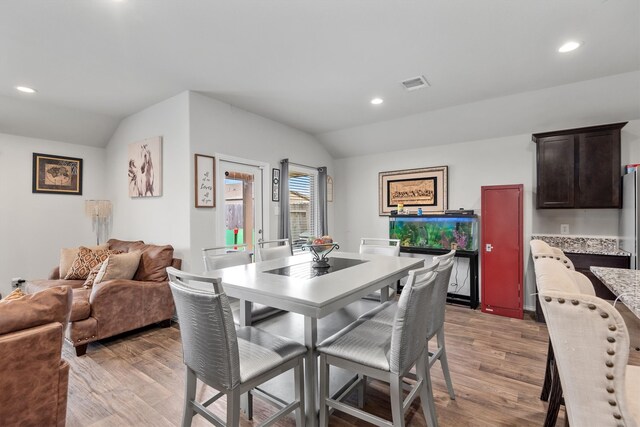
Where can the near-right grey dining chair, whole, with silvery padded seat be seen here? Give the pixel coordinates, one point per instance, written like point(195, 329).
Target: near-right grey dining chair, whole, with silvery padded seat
point(386, 352)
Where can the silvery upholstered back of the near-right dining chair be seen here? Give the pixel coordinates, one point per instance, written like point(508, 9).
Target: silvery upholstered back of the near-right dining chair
point(410, 327)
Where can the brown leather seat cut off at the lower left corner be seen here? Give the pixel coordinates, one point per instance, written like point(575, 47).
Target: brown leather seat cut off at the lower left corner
point(34, 378)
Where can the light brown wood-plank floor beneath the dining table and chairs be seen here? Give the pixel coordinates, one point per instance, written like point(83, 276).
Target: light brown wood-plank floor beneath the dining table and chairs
point(497, 366)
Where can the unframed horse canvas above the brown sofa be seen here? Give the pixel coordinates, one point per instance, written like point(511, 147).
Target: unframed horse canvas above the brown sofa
point(145, 168)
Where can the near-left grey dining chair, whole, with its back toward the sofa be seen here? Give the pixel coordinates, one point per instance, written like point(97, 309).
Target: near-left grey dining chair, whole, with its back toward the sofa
point(231, 361)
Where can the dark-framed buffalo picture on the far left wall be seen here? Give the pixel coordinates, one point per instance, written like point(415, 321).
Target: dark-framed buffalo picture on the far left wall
point(56, 174)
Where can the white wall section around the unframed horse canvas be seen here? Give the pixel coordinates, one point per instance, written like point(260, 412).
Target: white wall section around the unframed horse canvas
point(157, 220)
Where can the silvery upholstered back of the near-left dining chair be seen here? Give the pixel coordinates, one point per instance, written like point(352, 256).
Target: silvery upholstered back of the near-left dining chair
point(209, 341)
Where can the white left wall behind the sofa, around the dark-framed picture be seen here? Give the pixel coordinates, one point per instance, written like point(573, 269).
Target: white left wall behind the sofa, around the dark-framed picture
point(35, 226)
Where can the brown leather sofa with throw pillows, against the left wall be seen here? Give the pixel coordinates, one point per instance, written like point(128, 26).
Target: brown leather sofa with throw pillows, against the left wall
point(116, 306)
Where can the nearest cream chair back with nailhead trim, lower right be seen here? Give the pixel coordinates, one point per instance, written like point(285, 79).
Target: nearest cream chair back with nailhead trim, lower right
point(591, 346)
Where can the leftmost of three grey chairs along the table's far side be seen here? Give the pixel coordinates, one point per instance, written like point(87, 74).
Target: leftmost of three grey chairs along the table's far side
point(231, 256)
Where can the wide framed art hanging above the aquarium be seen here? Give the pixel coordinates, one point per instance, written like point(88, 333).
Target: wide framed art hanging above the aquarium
point(424, 189)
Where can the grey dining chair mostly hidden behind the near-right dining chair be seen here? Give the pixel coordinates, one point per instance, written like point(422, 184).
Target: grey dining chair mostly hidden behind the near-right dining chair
point(434, 317)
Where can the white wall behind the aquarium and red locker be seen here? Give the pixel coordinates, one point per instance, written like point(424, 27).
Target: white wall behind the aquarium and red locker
point(508, 160)
